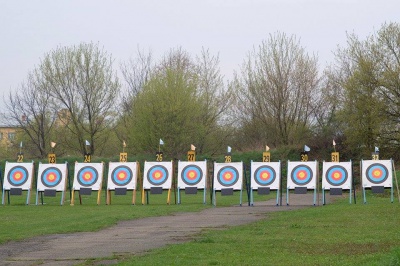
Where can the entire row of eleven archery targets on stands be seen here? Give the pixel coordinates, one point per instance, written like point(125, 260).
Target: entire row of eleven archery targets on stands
point(265, 176)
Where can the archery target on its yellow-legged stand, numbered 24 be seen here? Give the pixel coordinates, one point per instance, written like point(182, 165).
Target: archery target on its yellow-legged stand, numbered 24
point(88, 177)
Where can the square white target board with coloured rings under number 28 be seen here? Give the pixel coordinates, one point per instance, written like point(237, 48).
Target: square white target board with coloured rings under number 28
point(228, 175)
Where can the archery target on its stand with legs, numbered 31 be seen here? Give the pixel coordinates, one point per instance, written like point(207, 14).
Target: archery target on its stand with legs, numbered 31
point(336, 177)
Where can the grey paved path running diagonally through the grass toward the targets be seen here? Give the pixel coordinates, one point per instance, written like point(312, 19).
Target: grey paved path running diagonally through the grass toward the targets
point(136, 236)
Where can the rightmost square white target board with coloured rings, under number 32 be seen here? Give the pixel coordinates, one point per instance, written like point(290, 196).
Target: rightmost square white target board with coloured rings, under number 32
point(376, 173)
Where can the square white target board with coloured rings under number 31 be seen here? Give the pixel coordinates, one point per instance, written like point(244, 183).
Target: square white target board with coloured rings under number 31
point(336, 175)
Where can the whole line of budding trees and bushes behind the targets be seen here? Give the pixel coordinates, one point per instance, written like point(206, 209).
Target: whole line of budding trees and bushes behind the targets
point(278, 97)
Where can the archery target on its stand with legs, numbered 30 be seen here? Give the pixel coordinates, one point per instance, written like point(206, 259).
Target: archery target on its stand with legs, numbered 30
point(301, 177)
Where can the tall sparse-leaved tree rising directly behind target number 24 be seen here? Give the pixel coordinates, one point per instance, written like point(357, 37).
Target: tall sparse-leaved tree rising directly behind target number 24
point(81, 81)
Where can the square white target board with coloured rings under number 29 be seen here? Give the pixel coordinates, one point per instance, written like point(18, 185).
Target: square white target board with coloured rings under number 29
point(265, 174)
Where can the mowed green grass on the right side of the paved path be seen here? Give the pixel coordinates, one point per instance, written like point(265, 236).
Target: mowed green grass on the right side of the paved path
point(334, 234)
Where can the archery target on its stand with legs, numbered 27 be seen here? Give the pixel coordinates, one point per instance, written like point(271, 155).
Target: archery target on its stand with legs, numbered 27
point(192, 177)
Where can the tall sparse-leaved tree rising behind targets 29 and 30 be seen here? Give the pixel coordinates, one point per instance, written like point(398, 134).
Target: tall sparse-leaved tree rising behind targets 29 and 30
point(277, 89)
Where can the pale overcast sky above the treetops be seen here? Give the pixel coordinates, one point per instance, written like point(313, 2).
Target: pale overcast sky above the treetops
point(29, 29)
